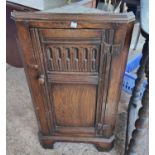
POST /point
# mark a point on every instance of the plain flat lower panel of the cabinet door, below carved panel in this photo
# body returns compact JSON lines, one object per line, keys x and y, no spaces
{"x":74,"y":105}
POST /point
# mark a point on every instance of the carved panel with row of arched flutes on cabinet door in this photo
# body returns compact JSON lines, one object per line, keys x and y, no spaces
{"x":73,"y":58}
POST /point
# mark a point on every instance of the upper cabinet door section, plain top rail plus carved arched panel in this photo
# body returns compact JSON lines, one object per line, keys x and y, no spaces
{"x":65,"y":53}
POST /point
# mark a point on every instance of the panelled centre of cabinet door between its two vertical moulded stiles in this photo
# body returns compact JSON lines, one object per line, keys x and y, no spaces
{"x":71,"y":61}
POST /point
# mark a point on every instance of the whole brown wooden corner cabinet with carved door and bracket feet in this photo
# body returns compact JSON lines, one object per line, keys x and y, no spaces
{"x":75,"y":75}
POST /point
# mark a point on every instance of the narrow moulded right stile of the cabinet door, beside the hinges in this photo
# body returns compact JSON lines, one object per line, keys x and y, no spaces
{"x":105,"y":61}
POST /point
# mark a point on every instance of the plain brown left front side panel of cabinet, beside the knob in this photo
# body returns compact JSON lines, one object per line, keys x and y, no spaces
{"x":32,"y":77}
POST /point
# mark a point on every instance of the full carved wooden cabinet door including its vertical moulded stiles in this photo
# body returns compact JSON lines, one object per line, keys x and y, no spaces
{"x":77,"y":69}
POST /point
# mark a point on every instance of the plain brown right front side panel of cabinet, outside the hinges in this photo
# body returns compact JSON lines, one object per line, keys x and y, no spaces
{"x":118,"y":64}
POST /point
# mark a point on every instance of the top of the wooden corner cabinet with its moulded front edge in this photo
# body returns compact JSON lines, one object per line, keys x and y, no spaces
{"x":93,"y":16}
